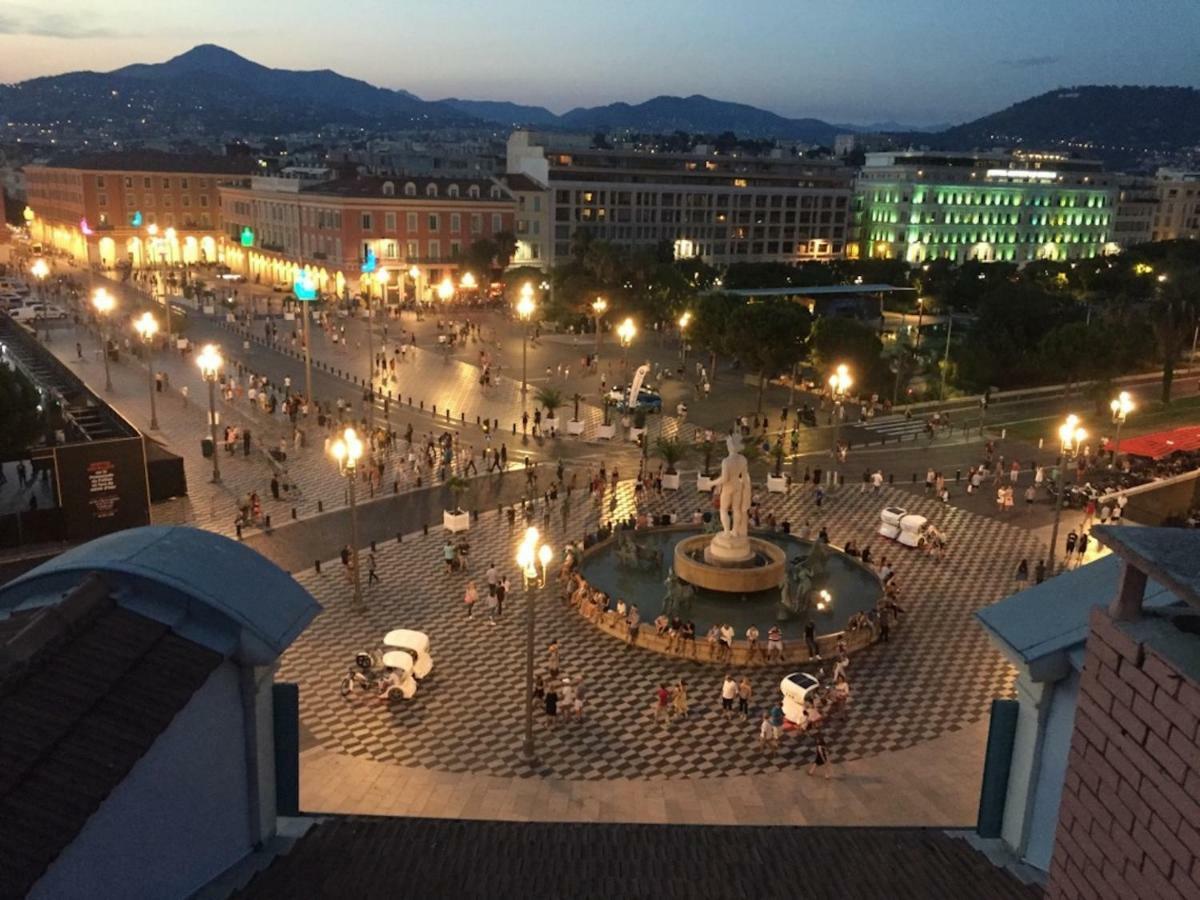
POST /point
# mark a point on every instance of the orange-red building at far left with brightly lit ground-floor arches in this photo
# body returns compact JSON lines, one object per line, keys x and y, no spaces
{"x":140,"y":208}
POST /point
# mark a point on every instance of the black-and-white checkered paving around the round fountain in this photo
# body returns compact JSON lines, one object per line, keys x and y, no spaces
{"x":938,"y":675}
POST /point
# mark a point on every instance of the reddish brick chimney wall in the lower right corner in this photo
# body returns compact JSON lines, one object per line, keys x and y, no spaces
{"x":1130,"y":821}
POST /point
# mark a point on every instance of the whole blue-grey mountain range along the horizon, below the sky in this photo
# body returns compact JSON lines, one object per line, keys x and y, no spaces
{"x":213,"y":91}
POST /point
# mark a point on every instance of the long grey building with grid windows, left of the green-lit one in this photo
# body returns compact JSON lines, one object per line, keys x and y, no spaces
{"x":721,"y":208}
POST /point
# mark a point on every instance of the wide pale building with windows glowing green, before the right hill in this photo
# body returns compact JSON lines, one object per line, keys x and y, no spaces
{"x":920,"y":206}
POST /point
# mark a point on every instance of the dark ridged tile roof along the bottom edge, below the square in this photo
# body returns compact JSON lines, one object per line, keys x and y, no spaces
{"x":362,"y":857}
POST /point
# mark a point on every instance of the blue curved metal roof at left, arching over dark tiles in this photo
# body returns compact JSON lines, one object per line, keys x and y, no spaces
{"x":208,"y":589}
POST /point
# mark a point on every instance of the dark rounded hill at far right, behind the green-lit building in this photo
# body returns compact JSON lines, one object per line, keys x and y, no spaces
{"x":1113,"y":123}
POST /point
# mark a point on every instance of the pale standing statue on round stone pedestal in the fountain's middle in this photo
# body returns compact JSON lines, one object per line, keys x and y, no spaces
{"x":731,"y":561}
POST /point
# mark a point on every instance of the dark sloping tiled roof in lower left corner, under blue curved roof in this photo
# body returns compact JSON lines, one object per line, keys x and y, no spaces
{"x":86,"y":689}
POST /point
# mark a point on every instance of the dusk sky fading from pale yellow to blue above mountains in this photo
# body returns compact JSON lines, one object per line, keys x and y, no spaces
{"x":844,"y":67}
